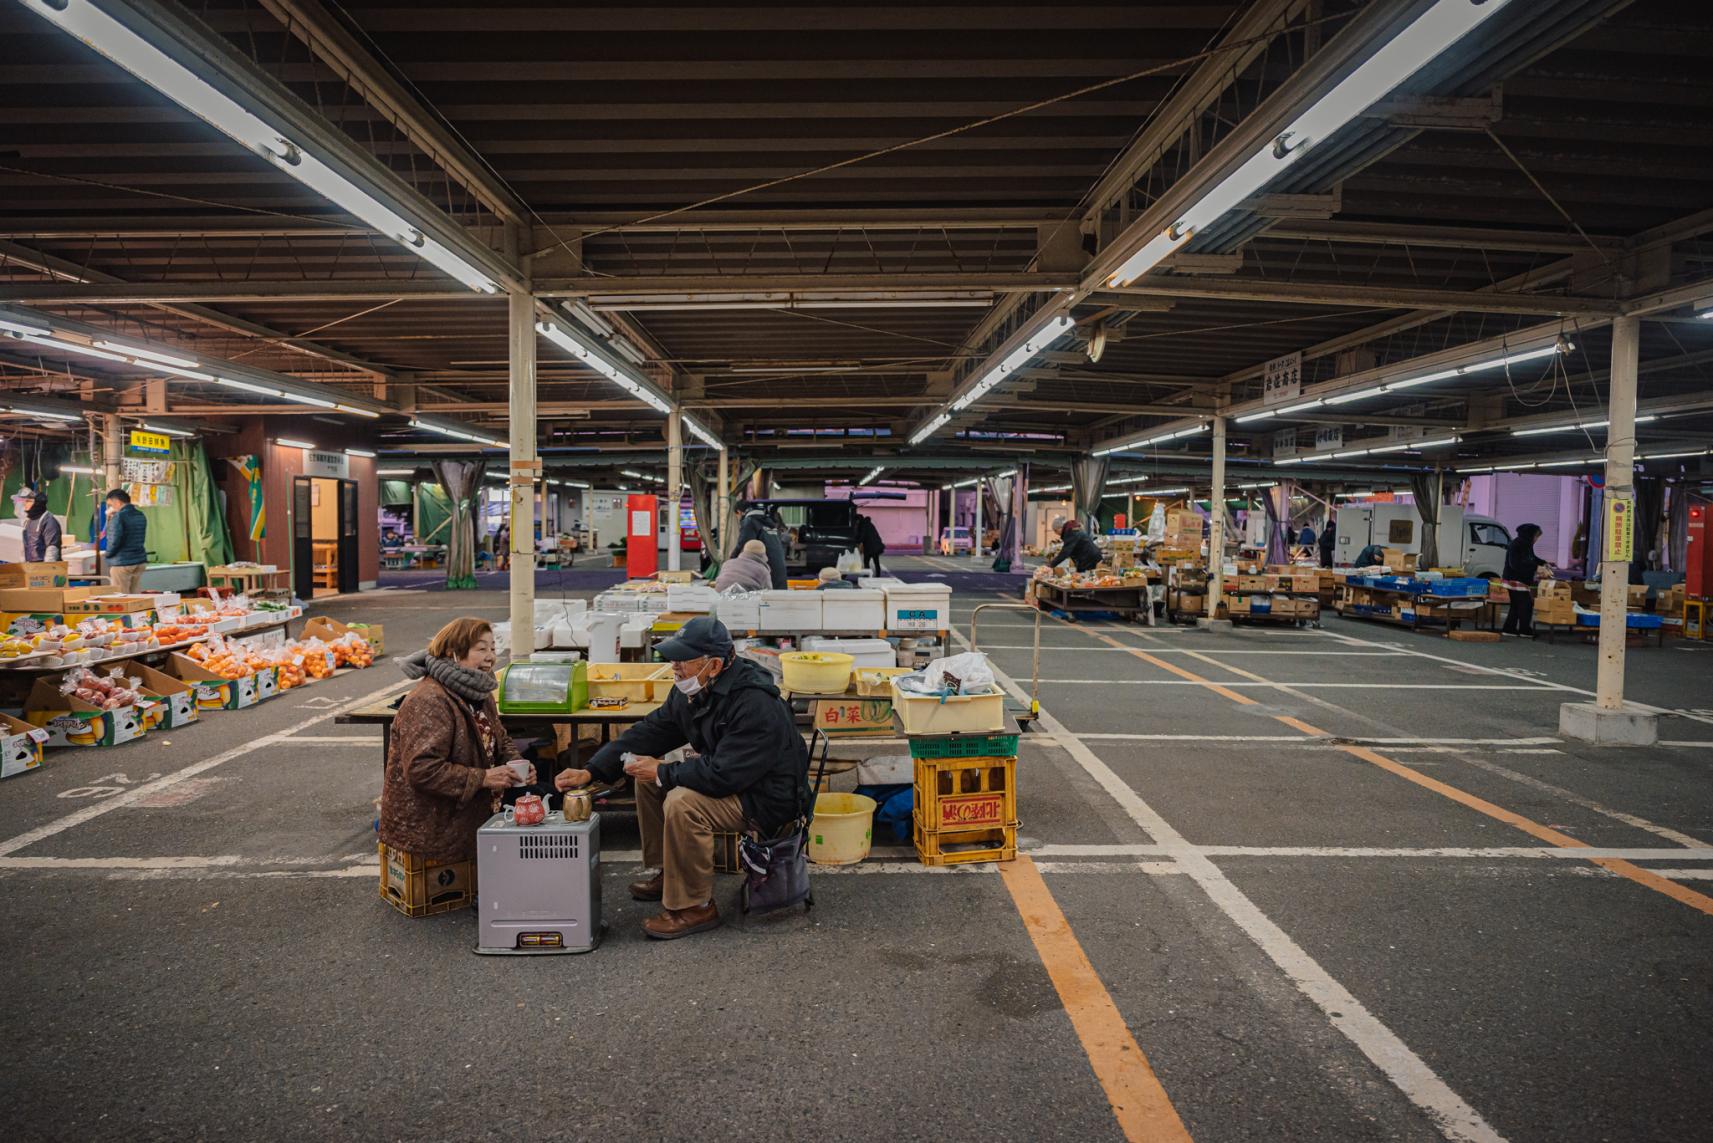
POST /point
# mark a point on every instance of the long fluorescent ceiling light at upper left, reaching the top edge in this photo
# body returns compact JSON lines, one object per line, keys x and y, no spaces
{"x":155,"y":68}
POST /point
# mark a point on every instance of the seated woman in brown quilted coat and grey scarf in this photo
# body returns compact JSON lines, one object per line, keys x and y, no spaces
{"x":450,"y":753}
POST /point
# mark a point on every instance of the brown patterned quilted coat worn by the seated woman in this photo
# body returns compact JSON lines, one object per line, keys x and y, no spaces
{"x":433,"y":799}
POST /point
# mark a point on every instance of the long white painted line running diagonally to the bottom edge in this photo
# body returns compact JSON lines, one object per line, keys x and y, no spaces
{"x":1383,"y":1048}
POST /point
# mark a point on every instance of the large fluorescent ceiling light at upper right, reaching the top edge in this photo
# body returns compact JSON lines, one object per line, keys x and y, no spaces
{"x":1397,"y":61}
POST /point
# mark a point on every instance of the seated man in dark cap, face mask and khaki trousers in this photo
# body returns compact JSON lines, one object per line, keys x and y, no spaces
{"x":749,"y":772}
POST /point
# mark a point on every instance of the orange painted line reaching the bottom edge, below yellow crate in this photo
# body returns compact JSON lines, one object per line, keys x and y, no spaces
{"x":1140,"y":1103}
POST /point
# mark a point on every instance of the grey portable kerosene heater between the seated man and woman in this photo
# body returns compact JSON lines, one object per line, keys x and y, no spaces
{"x":539,"y":889}
